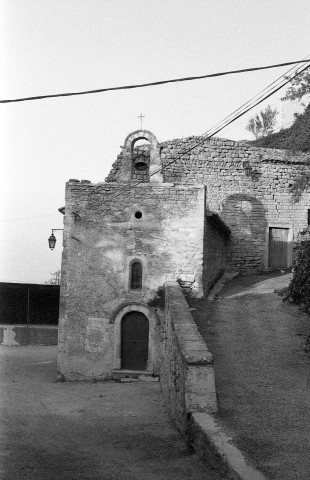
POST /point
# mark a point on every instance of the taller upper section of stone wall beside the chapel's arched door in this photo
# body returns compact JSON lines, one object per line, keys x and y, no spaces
{"x":186,"y":374}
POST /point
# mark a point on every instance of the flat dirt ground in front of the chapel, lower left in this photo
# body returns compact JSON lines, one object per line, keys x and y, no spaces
{"x":80,"y":431}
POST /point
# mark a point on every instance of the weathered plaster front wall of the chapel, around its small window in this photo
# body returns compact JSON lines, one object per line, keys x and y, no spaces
{"x":101,"y":237}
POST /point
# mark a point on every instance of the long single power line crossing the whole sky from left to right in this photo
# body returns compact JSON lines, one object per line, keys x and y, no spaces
{"x":150,"y":84}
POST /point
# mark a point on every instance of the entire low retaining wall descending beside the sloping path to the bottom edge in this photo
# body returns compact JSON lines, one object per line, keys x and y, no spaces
{"x":187,"y":382}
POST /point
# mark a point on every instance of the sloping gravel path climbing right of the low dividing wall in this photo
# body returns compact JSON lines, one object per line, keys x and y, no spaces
{"x":262,"y":373}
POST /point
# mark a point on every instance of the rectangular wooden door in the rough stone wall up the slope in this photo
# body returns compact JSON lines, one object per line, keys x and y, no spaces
{"x":278,"y":247}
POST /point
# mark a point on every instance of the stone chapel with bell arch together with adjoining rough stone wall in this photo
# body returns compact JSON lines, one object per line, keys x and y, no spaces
{"x":183,"y":210}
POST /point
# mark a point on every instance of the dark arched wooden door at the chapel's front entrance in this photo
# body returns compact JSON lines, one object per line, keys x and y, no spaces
{"x":134,"y":341}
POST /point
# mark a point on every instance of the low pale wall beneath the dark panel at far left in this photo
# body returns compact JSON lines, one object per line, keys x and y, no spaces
{"x":19,"y":335}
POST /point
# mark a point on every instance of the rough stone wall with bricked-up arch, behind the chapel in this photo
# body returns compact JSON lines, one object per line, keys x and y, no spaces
{"x":248,"y":187}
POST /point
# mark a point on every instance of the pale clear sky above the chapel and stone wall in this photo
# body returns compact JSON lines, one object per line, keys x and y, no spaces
{"x":57,"y":46}
